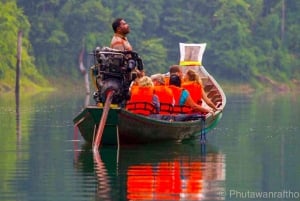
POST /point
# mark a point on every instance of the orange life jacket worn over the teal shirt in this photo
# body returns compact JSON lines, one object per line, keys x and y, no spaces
{"x":177,"y":108}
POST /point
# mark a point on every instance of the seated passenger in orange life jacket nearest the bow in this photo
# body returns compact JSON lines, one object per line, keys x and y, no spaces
{"x":192,"y":82}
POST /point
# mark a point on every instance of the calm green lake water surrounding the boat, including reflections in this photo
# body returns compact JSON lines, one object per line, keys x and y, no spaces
{"x":252,"y":154}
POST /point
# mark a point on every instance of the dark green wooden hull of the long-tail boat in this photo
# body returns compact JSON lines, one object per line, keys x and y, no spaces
{"x":124,"y":127}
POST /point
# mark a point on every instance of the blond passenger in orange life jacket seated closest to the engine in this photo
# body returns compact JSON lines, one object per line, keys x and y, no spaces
{"x":142,"y":99}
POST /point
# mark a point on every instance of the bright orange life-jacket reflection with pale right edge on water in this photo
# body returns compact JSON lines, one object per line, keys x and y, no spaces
{"x":177,"y":180}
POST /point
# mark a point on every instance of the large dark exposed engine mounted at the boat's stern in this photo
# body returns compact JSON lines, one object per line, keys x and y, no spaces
{"x":114,"y":70}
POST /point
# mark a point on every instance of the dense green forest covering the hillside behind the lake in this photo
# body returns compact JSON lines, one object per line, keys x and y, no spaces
{"x":248,"y":41}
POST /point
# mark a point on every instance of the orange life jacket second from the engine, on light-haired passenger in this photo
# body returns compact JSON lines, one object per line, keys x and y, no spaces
{"x":166,"y":99}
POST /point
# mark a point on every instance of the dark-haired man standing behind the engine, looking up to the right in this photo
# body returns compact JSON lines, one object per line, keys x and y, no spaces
{"x":119,"y":40}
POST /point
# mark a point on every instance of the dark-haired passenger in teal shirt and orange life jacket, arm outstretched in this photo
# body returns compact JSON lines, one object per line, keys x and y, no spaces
{"x":183,"y":101}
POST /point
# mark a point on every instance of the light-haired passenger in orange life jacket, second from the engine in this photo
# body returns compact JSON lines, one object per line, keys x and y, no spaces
{"x":164,"y":94}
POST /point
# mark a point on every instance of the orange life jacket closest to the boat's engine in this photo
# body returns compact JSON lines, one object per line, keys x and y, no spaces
{"x":141,"y":101}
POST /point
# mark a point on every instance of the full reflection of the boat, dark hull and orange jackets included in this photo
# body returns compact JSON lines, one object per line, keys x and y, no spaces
{"x":156,"y":172}
